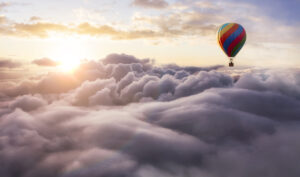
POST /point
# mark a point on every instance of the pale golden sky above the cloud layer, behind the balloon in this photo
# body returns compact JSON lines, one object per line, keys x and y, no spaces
{"x":173,"y":31}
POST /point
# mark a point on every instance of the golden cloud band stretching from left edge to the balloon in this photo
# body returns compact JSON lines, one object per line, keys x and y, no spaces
{"x":173,"y":24}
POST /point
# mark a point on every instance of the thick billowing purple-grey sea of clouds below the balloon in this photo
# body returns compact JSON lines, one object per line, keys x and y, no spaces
{"x":127,"y":117}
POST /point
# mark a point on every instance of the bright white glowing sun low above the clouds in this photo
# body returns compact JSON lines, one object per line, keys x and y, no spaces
{"x":68,"y":53}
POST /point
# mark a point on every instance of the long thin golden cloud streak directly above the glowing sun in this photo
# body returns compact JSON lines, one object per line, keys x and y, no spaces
{"x":44,"y":29}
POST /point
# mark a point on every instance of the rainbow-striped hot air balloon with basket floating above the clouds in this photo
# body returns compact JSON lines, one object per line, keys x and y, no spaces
{"x":231,"y":38}
